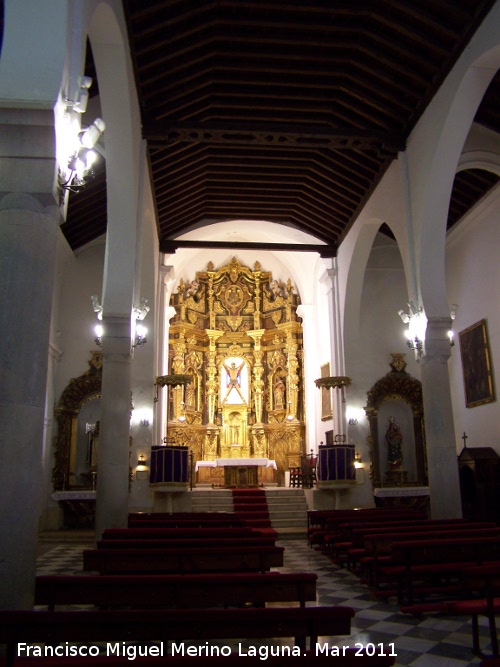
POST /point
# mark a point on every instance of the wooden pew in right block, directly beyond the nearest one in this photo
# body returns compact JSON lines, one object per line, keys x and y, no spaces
{"x":426,"y":561}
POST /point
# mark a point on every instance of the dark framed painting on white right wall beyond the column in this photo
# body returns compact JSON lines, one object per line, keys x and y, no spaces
{"x":476,"y":365}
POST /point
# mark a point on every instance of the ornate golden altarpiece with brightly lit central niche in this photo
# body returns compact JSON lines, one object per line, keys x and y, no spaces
{"x":237,"y":335}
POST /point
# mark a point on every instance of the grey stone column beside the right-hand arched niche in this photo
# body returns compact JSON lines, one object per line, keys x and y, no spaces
{"x":439,"y":428}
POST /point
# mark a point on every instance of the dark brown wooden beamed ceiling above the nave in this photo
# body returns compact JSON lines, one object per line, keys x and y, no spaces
{"x":287,"y":111}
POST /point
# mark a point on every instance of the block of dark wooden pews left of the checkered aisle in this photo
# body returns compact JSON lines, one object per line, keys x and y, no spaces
{"x":167,"y":581}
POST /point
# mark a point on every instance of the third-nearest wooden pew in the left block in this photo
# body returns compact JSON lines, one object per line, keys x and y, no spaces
{"x":182,"y":561}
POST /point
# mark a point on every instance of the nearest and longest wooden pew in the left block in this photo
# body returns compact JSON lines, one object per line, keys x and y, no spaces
{"x":304,"y":624}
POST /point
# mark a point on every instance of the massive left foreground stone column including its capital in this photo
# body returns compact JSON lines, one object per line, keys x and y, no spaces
{"x":29,"y":223}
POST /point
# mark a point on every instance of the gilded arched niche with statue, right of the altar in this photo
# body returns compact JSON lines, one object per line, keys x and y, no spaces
{"x":396,"y":416}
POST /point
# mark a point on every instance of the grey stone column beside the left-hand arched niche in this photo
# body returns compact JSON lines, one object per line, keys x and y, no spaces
{"x":114,"y":437}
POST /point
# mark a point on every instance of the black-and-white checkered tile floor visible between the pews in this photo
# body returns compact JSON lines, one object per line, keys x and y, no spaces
{"x":430,"y":641}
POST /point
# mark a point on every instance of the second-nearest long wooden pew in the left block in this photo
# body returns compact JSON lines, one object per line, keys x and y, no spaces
{"x":185,"y":590}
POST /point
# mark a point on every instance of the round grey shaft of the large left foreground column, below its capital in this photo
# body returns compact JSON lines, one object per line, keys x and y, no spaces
{"x":28,"y":234}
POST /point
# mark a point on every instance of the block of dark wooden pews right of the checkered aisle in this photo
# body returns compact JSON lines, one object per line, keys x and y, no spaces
{"x":430,"y":566}
